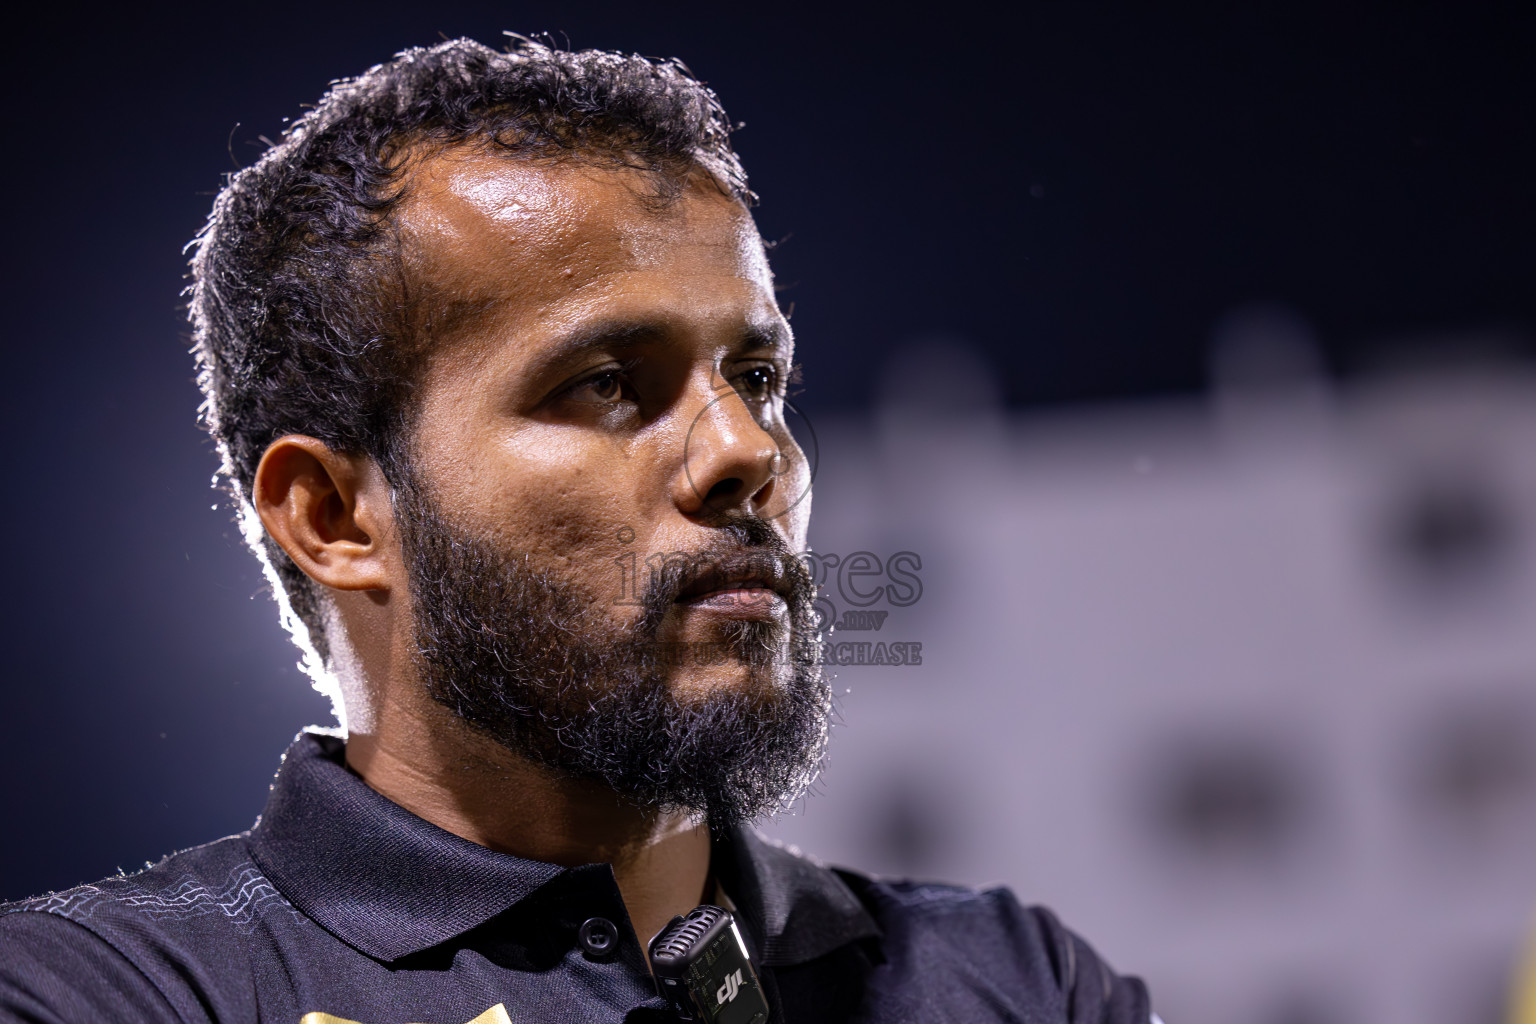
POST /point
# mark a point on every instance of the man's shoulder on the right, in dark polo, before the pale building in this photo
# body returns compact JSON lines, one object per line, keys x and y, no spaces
{"x":988,"y":945}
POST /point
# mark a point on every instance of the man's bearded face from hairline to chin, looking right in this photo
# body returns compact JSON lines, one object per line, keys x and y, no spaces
{"x":603,"y":481}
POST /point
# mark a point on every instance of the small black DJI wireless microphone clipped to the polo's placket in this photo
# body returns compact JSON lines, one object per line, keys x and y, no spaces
{"x":703,"y":968}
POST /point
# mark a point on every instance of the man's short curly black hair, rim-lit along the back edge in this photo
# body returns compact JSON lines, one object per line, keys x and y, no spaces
{"x":302,"y":317}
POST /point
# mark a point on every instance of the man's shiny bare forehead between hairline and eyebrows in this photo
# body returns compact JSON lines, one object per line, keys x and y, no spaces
{"x":489,"y":234}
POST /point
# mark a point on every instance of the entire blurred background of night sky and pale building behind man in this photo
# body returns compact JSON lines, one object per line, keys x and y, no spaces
{"x":1187,"y":357}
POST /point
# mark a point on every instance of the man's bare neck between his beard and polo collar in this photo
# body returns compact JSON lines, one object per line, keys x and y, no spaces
{"x":429,"y":762}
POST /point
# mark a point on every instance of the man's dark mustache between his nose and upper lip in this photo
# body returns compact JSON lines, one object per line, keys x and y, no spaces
{"x":746,"y":549}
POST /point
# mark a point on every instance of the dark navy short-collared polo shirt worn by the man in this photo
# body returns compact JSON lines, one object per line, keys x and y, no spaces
{"x":343,"y":907}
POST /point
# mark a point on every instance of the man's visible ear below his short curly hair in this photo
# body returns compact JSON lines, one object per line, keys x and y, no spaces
{"x":329,"y":512}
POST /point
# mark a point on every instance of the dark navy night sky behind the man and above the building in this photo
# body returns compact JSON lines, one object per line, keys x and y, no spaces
{"x":1079,"y":190}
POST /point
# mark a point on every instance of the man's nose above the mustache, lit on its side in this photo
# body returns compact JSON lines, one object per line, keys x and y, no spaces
{"x":730,"y":460}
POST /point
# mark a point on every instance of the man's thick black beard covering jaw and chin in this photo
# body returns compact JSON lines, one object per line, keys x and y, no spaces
{"x":532,"y":661}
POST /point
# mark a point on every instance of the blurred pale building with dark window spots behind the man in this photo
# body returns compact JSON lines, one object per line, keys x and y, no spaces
{"x":1245,"y":690}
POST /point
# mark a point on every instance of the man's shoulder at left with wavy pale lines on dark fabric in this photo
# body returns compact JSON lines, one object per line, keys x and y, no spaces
{"x":164,"y":936}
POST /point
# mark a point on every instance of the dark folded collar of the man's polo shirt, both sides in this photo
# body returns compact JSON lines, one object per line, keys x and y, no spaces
{"x":389,"y":884}
